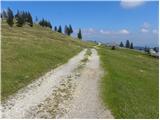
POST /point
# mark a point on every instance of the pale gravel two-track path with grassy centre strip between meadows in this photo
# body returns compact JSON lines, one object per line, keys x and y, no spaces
{"x":69,"y":91}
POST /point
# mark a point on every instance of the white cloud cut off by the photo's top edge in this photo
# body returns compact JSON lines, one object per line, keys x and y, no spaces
{"x":131,"y":3}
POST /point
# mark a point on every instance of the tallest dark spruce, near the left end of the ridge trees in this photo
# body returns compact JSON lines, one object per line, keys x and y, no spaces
{"x":10,"y":17}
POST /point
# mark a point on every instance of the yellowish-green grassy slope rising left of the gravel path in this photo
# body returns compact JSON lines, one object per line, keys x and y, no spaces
{"x":28,"y":53}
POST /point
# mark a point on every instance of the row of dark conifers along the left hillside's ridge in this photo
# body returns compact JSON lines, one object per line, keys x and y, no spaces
{"x":22,"y":18}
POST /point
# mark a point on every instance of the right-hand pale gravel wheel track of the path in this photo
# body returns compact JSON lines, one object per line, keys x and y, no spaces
{"x":86,"y":101}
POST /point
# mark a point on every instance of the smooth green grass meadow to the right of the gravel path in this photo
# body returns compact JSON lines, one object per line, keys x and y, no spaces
{"x":130,"y":84}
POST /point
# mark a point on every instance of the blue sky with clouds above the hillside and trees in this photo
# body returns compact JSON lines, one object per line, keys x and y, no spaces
{"x":107,"y":21}
